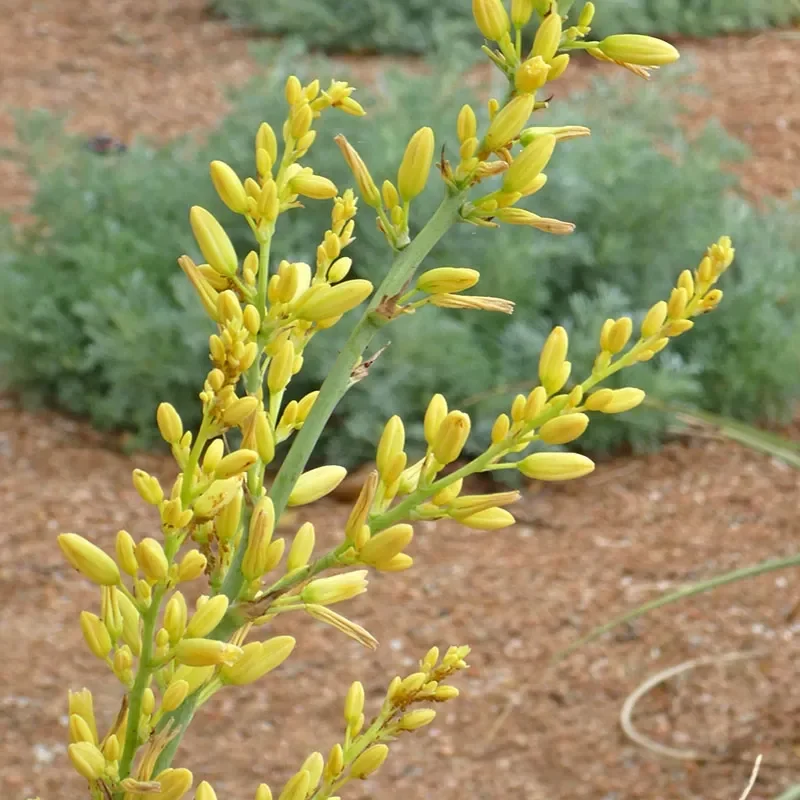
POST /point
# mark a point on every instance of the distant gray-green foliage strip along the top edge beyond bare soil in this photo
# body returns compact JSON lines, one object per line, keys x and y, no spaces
{"x":416,"y":26}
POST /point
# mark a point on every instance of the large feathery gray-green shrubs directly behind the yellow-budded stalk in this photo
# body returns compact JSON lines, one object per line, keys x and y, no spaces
{"x":96,"y":317}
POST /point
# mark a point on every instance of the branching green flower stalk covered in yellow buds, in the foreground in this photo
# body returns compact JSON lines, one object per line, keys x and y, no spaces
{"x":217,"y":521}
